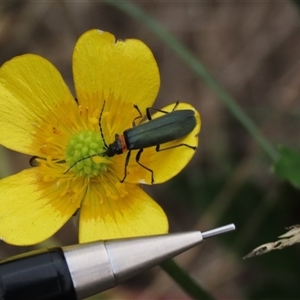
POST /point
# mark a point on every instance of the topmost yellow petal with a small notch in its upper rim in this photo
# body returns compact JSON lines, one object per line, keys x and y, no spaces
{"x":123,"y":70}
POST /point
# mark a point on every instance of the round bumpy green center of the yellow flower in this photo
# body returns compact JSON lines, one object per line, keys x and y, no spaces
{"x":81,"y":152}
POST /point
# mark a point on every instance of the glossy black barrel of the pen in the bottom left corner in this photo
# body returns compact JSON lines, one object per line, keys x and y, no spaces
{"x":42,"y":276}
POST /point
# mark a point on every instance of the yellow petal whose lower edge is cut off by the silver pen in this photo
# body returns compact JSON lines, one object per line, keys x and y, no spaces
{"x":133,"y":215}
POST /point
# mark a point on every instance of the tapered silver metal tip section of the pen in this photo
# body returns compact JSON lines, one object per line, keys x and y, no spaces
{"x":98,"y":266}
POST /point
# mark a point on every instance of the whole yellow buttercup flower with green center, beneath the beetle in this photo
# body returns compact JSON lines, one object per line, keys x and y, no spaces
{"x":39,"y":117}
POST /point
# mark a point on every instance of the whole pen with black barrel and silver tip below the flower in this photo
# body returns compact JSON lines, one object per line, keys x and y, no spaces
{"x":79,"y":271}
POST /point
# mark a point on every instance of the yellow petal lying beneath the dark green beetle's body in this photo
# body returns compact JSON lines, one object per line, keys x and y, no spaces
{"x":164,"y":164}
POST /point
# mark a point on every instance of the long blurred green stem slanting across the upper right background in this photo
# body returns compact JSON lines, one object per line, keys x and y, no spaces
{"x":195,"y":65}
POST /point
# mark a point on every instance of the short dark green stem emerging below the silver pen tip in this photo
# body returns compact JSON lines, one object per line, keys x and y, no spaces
{"x":184,"y":280}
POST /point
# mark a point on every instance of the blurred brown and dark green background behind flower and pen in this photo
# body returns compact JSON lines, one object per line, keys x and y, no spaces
{"x":253,"y":50}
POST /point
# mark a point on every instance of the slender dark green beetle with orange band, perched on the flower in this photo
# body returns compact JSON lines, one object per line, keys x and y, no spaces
{"x":155,"y":132}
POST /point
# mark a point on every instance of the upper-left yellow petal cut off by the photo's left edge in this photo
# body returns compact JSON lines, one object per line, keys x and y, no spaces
{"x":31,"y":89}
